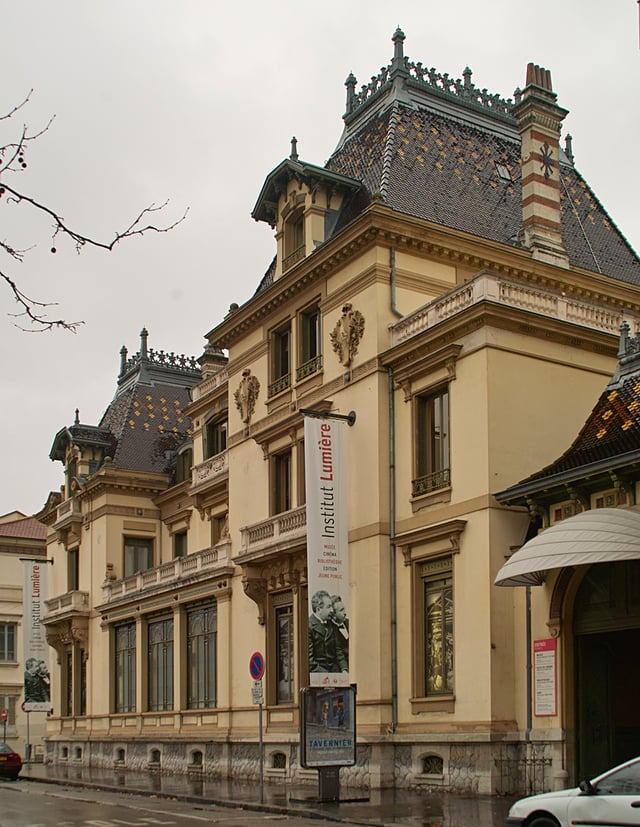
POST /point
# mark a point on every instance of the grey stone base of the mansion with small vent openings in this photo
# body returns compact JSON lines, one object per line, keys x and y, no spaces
{"x":481,"y":768}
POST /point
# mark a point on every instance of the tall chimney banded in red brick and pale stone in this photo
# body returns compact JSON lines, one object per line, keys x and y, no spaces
{"x":539,"y":120}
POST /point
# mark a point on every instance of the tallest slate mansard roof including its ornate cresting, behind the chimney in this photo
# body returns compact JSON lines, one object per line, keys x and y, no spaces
{"x":448,"y":152}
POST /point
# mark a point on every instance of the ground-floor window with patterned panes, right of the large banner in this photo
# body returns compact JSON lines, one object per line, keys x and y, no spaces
{"x":438,"y":632}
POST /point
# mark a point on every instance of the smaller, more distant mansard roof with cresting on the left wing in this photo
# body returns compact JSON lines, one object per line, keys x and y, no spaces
{"x":145,"y":423}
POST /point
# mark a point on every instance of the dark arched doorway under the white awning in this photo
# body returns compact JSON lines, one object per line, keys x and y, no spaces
{"x":606,"y":625}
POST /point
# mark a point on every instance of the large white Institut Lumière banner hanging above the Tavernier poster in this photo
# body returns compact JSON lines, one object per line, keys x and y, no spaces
{"x":327,"y":552}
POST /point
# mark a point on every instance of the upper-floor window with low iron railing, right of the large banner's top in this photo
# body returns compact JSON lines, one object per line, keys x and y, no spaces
{"x":431,"y":443}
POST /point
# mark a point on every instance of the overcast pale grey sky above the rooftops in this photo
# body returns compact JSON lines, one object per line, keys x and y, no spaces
{"x":196,"y":101}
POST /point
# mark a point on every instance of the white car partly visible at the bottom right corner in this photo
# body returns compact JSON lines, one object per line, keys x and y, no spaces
{"x":612,"y":798}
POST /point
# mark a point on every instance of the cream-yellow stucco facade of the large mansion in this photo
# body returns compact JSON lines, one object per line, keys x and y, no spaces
{"x":469,"y":364}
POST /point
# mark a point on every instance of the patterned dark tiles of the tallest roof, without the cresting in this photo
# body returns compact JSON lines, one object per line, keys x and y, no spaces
{"x":449,"y":172}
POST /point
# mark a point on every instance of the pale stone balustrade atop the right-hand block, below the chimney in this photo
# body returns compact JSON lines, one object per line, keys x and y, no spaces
{"x":492,"y":287}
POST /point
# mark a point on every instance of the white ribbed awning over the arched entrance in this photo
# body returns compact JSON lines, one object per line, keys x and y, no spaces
{"x":597,"y":536}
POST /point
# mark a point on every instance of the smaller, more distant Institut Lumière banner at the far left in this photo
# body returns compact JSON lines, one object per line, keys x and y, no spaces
{"x":37,"y":681}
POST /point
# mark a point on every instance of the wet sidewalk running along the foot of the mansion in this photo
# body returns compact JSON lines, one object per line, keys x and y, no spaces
{"x":378,"y":808}
